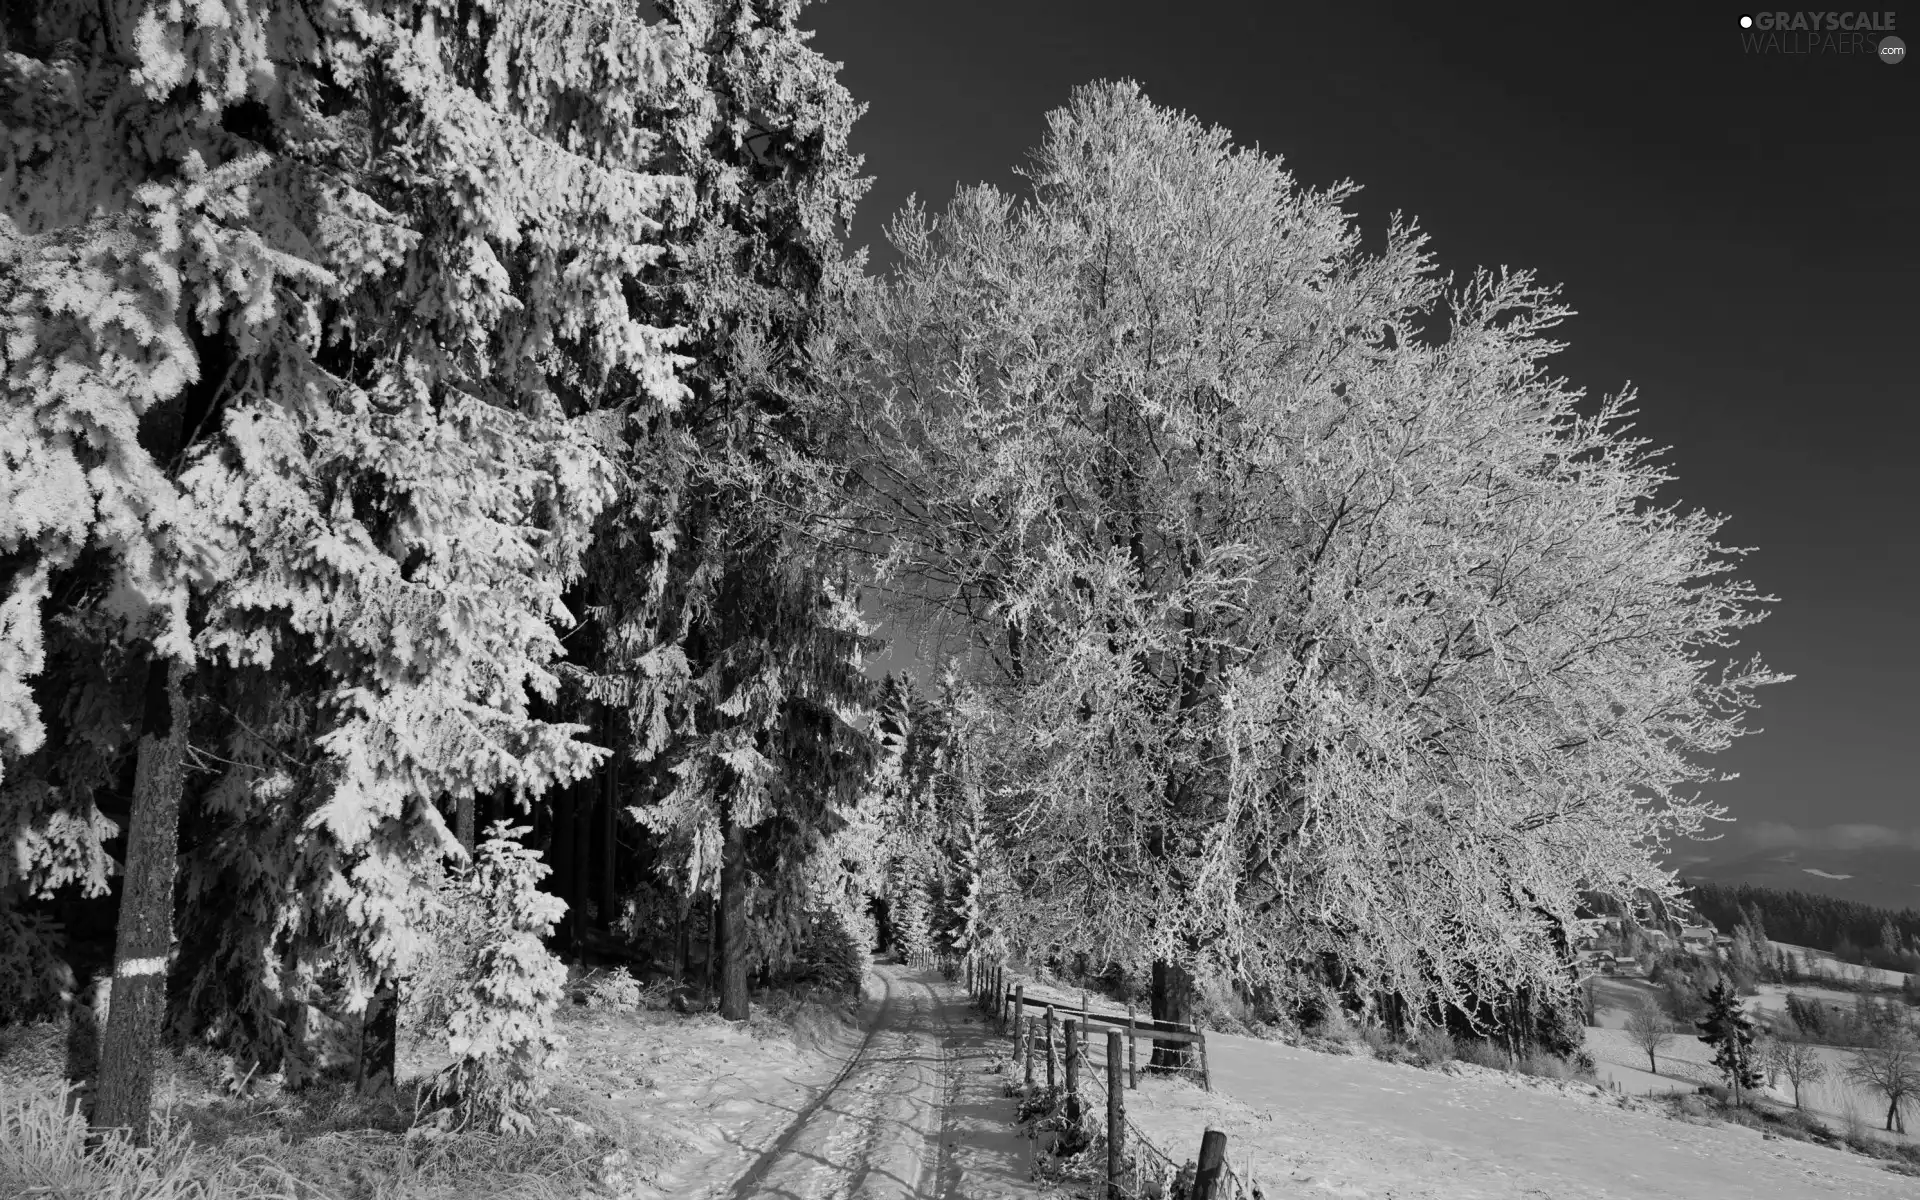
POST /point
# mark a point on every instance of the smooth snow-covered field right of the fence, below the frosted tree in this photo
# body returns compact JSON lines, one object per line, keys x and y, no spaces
{"x":1308,"y":1124}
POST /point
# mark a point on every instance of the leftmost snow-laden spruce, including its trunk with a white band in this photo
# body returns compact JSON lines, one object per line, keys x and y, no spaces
{"x":133,"y":228}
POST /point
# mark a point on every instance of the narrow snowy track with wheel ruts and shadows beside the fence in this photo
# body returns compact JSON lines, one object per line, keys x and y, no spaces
{"x":917,"y":1113}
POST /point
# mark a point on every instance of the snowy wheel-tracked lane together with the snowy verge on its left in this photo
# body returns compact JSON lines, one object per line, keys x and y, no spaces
{"x":905,"y":1103}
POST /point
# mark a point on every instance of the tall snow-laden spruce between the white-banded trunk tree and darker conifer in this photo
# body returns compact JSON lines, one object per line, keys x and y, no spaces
{"x":498,"y":368}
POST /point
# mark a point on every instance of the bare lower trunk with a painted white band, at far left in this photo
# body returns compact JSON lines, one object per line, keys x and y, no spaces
{"x":145,"y":934}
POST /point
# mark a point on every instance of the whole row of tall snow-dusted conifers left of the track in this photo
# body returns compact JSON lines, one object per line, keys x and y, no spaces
{"x":410,"y":420}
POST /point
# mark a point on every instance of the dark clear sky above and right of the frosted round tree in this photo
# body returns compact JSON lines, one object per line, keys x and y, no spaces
{"x":1737,"y":233}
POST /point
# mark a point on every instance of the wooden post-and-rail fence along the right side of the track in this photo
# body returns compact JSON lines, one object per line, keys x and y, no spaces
{"x":1134,"y":1166}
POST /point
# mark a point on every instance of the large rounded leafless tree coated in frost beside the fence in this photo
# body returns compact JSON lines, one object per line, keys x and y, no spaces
{"x":1305,"y":642}
